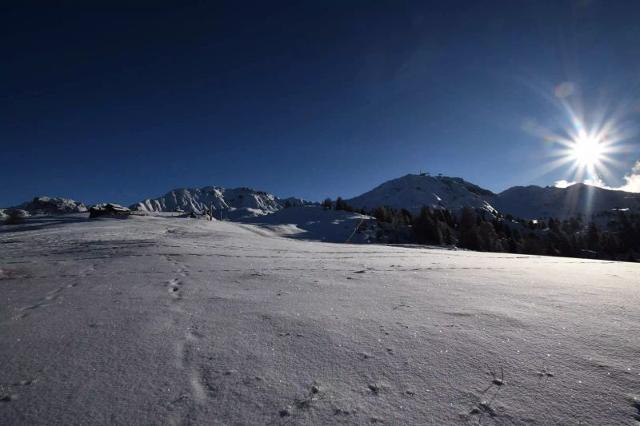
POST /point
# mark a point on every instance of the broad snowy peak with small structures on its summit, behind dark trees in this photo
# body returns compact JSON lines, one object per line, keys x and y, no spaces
{"x":412,"y":192}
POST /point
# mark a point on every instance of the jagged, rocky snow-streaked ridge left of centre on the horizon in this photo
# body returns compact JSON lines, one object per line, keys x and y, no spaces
{"x":227,"y":203}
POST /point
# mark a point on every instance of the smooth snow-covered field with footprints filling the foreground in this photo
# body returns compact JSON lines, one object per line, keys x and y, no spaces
{"x":159,"y":320}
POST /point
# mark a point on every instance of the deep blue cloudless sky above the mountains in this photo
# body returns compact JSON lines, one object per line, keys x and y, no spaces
{"x":103,"y":101}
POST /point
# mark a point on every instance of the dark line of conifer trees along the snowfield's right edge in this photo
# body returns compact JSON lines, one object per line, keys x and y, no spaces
{"x":617,"y":239}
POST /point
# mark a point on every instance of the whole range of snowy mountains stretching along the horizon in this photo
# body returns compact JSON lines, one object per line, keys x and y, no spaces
{"x":410,"y":192}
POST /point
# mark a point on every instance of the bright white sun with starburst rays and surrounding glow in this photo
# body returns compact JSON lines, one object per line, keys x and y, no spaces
{"x":588,"y":139}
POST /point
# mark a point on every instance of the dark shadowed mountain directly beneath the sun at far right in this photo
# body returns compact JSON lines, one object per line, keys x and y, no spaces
{"x":535,"y":202}
